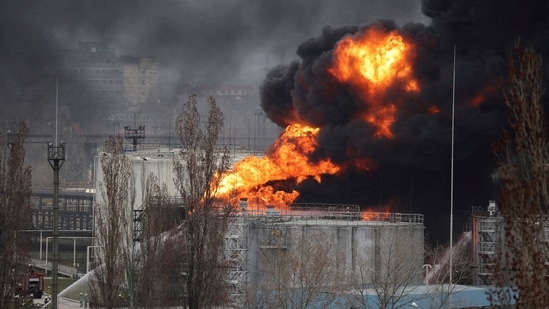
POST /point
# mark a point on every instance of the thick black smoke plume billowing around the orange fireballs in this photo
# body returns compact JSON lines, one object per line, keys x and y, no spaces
{"x":414,"y":167}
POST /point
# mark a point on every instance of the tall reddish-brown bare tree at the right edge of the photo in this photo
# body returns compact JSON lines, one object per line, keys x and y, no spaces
{"x":520,"y":272}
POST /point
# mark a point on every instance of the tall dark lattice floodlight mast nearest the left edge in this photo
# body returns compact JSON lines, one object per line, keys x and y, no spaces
{"x":56,"y":158}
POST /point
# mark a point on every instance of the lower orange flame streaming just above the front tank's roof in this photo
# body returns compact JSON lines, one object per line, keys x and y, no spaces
{"x":287,"y":160}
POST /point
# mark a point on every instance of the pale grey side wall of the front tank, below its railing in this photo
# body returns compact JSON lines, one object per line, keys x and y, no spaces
{"x":365,"y":248}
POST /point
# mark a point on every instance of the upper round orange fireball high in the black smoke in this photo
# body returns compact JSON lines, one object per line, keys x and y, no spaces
{"x":374,"y":61}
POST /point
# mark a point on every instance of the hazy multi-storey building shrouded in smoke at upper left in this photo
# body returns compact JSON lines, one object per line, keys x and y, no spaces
{"x":105,"y":78}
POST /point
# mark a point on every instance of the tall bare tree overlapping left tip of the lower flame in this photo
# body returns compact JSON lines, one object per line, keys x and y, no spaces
{"x":196,"y":170}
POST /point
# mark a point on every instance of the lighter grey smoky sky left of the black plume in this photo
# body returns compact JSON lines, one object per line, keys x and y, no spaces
{"x":197,"y":42}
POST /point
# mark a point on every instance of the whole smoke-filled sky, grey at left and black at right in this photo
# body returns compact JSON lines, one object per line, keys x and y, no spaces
{"x":270,"y":43}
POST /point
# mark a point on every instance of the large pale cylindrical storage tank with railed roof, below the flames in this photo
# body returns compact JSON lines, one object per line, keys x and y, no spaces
{"x":385,"y":246}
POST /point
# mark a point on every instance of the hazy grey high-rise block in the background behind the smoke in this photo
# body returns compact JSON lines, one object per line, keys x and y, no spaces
{"x":96,"y":83}
